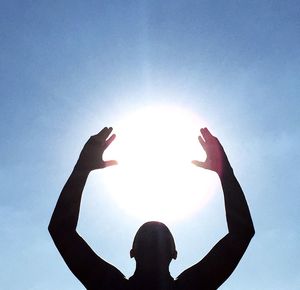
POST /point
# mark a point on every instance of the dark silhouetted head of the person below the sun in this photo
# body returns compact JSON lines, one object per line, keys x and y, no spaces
{"x":153,"y":245}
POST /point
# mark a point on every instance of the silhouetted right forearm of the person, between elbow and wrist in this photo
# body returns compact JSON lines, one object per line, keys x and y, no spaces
{"x":237,"y":212}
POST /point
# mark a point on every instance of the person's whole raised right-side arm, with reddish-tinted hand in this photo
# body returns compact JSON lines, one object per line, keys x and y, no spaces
{"x":220,"y":262}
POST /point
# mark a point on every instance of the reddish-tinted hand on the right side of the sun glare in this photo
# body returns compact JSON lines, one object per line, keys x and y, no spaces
{"x":216,"y":159}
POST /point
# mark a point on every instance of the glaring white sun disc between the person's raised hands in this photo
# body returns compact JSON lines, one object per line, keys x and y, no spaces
{"x":155,"y":179}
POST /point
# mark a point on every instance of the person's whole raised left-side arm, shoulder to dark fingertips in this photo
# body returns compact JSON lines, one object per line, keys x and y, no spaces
{"x":90,"y":269}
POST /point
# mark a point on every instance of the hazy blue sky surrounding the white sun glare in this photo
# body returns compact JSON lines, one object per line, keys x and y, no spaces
{"x":69,"y":68}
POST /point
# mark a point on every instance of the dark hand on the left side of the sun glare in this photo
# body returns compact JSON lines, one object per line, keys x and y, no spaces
{"x":91,"y":155}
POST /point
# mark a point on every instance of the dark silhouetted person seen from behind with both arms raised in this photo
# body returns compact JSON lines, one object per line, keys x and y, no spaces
{"x":153,"y":247}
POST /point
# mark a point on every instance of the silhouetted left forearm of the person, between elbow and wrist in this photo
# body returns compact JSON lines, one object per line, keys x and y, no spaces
{"x":66,"y":212}
